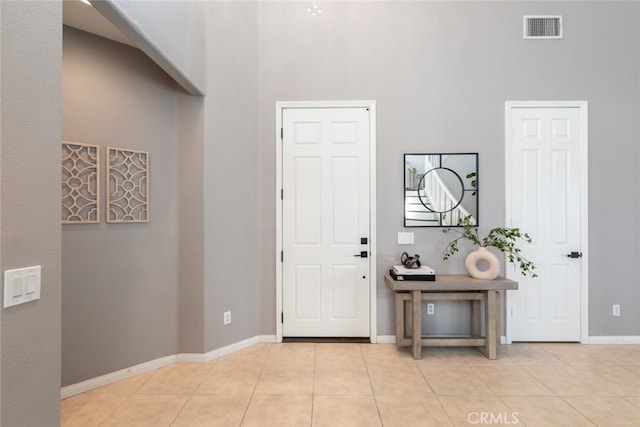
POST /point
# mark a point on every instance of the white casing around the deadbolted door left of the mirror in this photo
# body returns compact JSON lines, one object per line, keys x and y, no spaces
{"x":371,"y":106}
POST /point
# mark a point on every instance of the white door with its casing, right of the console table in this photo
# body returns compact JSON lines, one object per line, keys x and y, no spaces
{"x":546,"y":175}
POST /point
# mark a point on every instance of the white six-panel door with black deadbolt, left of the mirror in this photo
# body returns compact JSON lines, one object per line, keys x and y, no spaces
{"x":325,"y":270}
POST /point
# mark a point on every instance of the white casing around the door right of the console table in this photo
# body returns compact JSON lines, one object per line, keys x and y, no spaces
{"x":584,"y":197}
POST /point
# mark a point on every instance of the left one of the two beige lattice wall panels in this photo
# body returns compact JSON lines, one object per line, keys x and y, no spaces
{"x":80,"y":183}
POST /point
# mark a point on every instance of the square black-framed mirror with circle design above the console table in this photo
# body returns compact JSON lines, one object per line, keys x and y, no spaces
{"x":440,"y":189}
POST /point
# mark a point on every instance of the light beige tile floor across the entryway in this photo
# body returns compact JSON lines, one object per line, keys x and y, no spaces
{"x":306,"y":384}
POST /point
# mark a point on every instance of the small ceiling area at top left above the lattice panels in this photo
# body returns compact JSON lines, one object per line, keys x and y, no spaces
{"x":82,"y":16}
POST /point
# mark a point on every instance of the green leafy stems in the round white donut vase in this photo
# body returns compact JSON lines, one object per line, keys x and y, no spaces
{"x":504,"y":239}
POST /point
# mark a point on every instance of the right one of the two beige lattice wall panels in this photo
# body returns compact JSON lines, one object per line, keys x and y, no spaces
{"x":127,"y":185}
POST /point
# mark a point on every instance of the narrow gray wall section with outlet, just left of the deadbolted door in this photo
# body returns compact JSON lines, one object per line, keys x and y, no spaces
{"x":233,"y":224}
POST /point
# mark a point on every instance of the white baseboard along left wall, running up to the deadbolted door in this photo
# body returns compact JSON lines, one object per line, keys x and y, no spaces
{"x":122,"y":374}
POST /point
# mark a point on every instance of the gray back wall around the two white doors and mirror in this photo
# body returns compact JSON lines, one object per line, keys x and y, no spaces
{"x":440,"y":73}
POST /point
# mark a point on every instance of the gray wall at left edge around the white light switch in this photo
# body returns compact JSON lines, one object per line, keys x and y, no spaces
{"x":30,"y":42}
